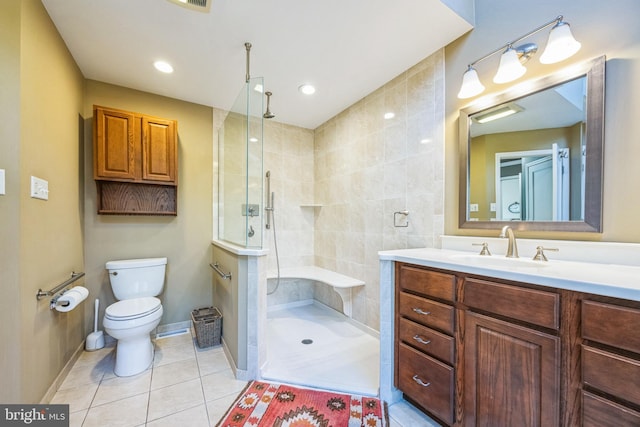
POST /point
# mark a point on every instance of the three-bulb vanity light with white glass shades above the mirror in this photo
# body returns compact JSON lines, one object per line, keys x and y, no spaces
{"x":560,"y":46}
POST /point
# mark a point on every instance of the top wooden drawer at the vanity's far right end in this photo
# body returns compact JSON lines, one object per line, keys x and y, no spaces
{"x":599,"y":319}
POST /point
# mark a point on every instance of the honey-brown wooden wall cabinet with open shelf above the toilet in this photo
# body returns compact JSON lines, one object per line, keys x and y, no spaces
{"x":135,"y":163}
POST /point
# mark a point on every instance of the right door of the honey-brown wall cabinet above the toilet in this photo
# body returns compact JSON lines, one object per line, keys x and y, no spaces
{"x":159,"y":150}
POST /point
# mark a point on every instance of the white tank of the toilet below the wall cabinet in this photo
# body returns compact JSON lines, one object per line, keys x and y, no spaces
{"x":136,"y":278}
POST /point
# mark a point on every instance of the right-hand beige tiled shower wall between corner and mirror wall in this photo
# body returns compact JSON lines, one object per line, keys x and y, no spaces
{"x":367,"y":167}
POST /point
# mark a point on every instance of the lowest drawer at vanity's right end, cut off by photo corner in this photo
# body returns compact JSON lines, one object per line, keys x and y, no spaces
{"x":599,"y":412}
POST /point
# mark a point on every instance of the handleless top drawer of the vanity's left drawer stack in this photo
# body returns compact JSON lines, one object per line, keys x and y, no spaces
{"x":426,"y":282}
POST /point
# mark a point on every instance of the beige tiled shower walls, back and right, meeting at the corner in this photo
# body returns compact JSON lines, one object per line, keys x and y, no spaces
{"x":360,"y":168}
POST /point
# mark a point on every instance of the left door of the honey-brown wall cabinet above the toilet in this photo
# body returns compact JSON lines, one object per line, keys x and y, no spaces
{"x":114,"y":145}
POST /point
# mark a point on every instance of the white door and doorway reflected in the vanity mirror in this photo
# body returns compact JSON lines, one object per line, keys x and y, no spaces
{"x":533,"y":185}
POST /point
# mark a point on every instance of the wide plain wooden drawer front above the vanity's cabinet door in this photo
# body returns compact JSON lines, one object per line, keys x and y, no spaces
{"x":529,"y":305}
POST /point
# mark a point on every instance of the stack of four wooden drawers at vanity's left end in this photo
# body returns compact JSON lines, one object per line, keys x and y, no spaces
{"x":424,"y":344}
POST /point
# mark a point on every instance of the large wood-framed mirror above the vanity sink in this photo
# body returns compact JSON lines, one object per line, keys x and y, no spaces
{"x":533,"y":158}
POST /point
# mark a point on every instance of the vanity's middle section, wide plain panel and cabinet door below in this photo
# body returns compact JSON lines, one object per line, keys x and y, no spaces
{"x":512,"y":370}
